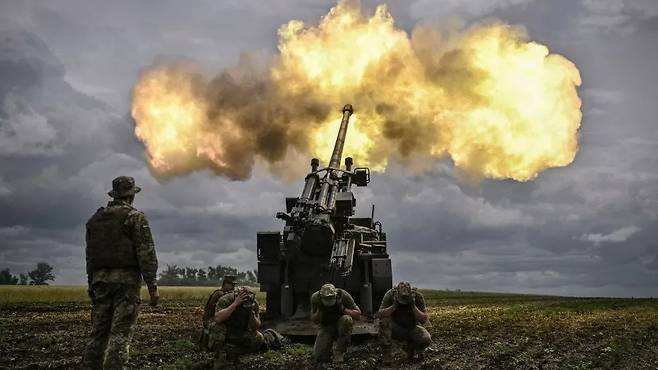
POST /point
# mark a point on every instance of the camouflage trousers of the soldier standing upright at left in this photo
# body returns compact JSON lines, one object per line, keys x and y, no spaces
{"x":113,"y":317}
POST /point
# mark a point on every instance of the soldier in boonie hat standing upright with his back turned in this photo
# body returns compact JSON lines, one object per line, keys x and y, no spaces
{"x":119,"y":253}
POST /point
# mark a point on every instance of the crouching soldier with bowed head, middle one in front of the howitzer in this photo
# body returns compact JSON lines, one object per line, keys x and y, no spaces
{"x":334,"y":309}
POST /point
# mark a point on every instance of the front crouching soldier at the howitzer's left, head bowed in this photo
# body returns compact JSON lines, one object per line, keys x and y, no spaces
{"x":234,"y":329}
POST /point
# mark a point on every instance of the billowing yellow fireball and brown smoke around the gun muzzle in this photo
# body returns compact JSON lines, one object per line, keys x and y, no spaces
{"x":500,"y":106}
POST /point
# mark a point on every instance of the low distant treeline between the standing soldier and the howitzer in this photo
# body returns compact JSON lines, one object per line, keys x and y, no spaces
{"x":212,"y":276}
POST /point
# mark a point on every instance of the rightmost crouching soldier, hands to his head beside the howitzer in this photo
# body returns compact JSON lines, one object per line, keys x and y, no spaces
{"x":401,"y":312}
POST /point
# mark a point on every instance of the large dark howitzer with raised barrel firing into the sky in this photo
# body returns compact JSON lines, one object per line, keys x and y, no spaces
{"x":321,"y":242}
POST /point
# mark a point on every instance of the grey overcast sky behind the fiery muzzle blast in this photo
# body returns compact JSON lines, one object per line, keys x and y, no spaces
{"x":67,"y":68}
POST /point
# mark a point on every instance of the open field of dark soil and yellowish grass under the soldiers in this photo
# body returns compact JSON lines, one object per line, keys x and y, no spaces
{"x":46,"y":327}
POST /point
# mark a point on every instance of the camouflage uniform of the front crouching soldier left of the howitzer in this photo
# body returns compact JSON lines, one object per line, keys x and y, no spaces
{"x":235,"y":336}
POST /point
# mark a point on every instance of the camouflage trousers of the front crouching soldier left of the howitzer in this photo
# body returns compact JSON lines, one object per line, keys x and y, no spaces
{"x":226,"y":344}
